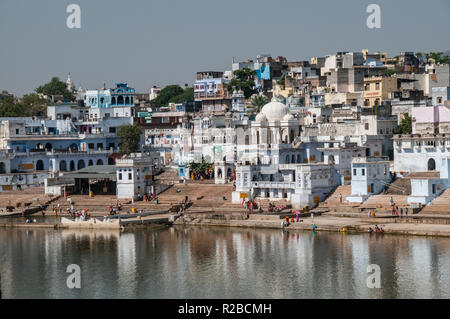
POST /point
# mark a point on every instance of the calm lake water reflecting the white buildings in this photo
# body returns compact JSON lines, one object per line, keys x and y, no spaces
{"x":197,"y":262}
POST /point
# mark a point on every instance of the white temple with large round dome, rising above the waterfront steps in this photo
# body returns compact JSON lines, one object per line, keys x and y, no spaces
{"x":271,"y":162}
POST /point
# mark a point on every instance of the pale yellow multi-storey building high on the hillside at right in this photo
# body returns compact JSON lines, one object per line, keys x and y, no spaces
{"x":377,"y":88}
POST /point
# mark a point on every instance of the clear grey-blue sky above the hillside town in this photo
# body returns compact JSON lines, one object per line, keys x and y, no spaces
{"x":161,"y":42}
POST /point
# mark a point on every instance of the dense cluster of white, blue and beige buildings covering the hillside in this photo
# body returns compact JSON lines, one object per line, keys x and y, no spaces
{"x":326,"y":122}
